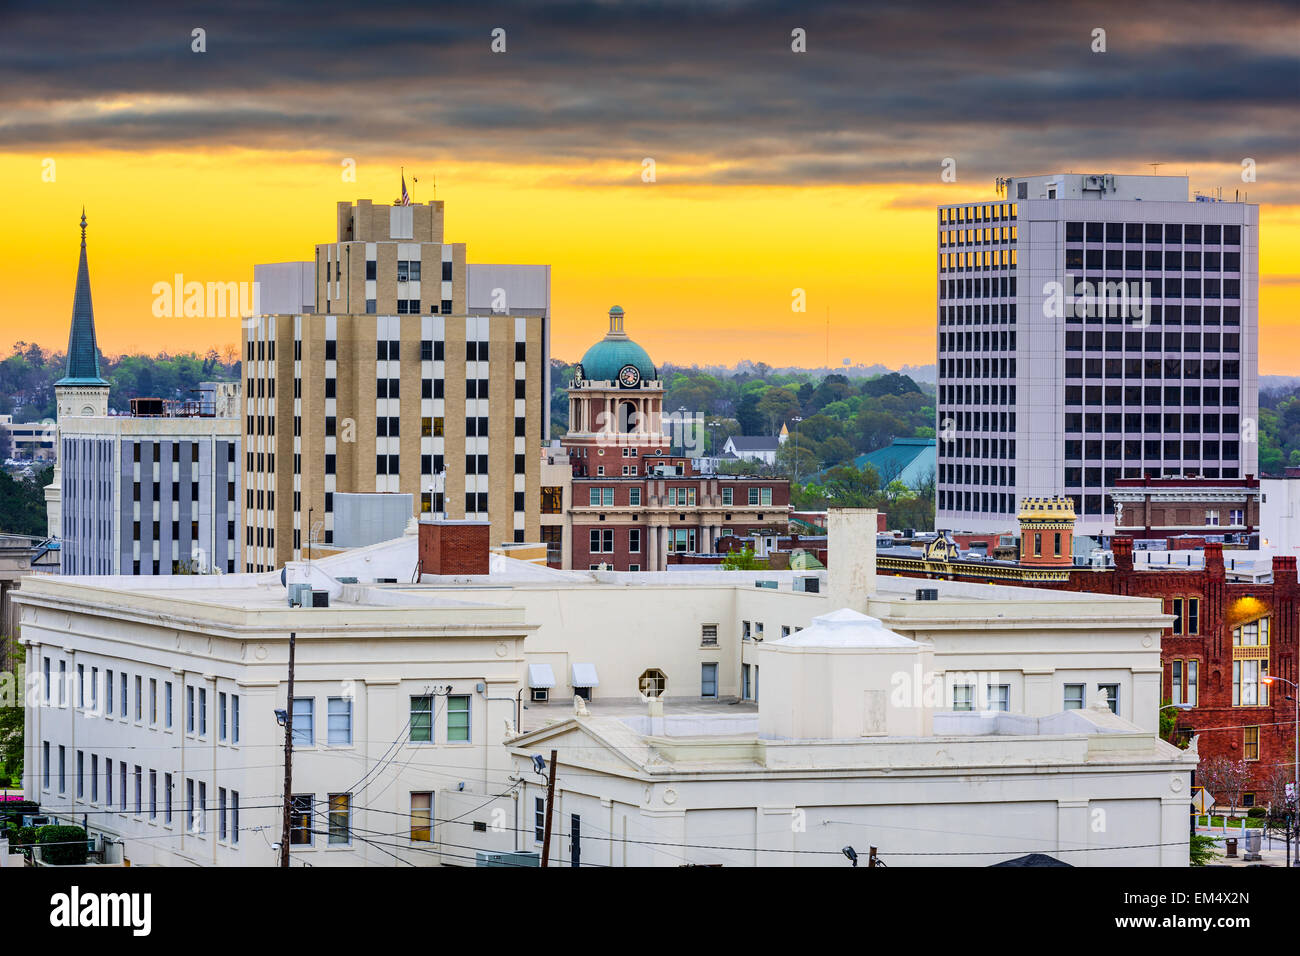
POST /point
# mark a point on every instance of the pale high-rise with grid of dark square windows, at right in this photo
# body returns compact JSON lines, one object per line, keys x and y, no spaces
{"x":1093,"y":328}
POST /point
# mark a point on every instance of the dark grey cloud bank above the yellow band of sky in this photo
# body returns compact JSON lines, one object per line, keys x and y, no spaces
{"x":885,"y":93}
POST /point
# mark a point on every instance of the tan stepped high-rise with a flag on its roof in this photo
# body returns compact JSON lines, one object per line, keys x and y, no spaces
{"x":413,"y":377}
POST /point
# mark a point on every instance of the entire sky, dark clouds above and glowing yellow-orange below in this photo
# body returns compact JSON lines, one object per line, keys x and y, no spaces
{"x":773,"y":170}
